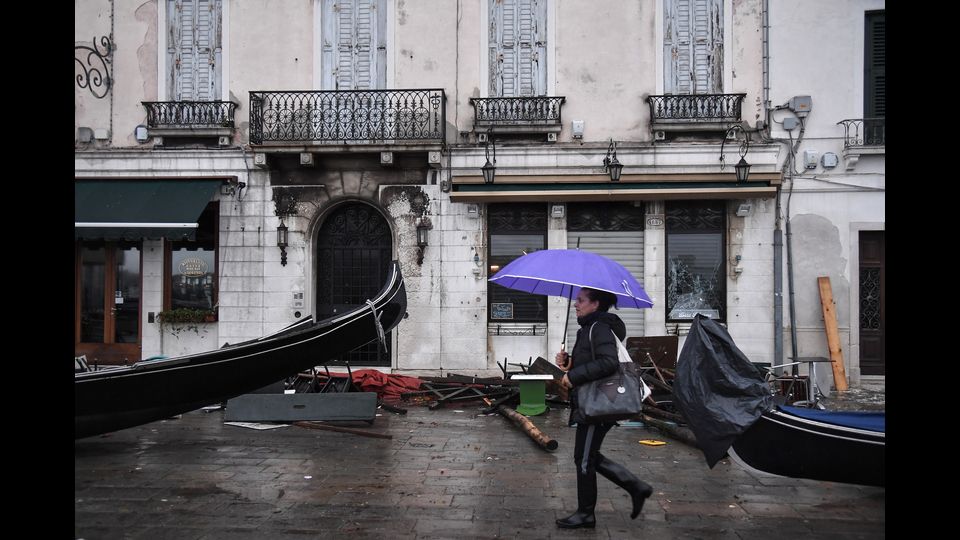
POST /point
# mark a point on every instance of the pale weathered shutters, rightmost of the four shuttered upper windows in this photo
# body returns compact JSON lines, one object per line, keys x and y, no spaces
{"x":693,"y":46}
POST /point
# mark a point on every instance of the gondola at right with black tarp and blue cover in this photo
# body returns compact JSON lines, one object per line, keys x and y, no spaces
{"x":732,"y":411}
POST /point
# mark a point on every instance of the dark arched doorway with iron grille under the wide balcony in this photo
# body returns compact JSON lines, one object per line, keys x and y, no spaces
{"x":354,"y":249}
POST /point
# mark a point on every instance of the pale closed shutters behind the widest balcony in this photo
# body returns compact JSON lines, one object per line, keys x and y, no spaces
{"x":353,"y":44}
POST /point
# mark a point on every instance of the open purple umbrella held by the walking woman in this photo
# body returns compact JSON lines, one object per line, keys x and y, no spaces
{"x":563,"y":272}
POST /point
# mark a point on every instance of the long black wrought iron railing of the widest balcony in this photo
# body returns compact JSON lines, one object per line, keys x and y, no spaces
{"x":348,"y":115}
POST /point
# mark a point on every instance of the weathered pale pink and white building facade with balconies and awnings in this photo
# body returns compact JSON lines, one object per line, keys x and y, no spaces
{"x":311,"y":142}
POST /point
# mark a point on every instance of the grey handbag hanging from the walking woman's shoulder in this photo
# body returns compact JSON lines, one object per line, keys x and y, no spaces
{"x":617,"y":397}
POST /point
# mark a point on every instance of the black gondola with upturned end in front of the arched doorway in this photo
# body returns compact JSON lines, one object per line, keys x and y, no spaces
{"x":118,"y":398}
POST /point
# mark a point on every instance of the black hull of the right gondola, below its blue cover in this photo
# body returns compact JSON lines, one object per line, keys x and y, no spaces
{"x":787,"y":445}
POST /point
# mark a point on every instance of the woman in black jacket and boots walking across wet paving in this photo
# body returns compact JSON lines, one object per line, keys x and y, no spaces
{"x":591,"y":361}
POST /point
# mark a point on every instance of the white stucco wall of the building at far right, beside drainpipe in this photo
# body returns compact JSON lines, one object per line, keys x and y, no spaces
{"x":818,"y":47}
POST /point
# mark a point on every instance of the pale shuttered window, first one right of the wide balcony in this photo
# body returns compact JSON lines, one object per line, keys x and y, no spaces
{"x":517,"y":48}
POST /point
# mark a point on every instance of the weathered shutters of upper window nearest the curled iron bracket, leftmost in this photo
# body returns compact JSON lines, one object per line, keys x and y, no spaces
{"x":194,"y":49}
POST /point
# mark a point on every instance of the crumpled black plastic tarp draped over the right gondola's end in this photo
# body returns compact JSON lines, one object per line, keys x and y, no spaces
{"x":717,"y":389}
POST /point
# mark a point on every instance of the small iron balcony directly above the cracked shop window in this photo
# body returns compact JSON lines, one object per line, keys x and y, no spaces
{"x":694,"y":112}
